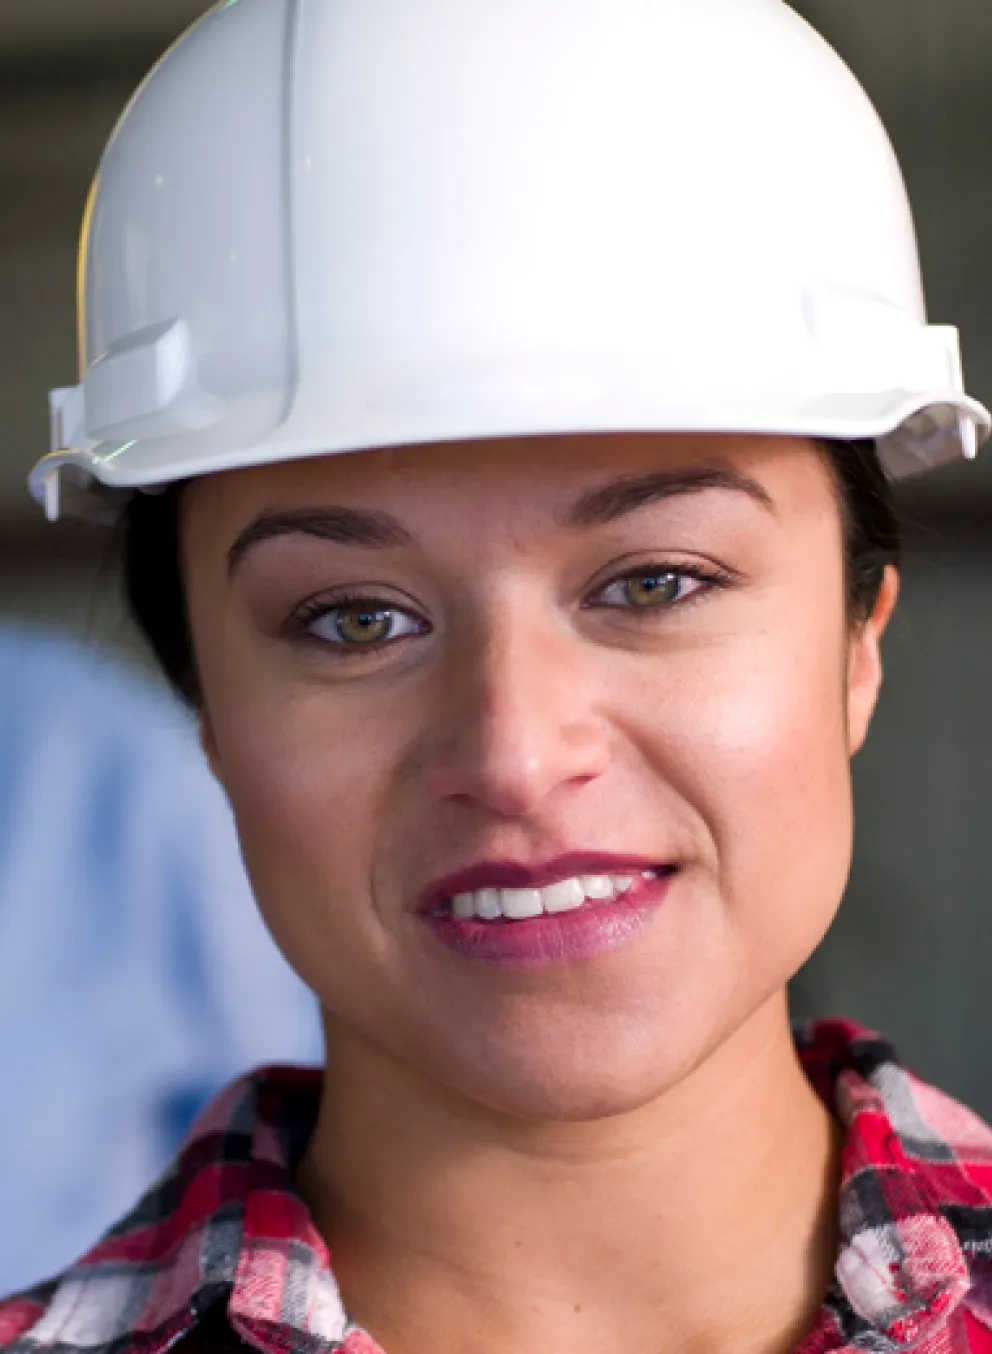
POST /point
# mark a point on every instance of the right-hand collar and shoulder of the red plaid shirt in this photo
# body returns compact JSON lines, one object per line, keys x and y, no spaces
{"x":916,"y":1198}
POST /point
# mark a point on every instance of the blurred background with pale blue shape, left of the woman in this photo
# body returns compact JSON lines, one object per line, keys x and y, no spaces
{"x":136,"y":977}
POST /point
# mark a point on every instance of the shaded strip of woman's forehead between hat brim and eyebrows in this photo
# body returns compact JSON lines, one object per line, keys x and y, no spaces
{"x":508,"y":477}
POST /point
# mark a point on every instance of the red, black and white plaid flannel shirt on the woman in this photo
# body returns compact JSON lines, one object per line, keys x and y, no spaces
{"x":223,"y":1252}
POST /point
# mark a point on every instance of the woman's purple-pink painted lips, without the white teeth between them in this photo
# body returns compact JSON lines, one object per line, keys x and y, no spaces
{"x":591,"y":931}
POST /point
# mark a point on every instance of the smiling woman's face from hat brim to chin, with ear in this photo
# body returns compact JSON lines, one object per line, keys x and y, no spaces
{"x":466,"y":670}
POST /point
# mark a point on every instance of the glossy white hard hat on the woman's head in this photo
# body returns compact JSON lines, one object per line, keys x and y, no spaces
{"x":332,"y":225}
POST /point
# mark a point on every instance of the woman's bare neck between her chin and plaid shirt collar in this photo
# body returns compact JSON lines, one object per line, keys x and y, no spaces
{"x":703,"y":1221}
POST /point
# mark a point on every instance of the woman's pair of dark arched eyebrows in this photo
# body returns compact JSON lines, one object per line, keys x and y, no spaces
{"x":371,"y":530}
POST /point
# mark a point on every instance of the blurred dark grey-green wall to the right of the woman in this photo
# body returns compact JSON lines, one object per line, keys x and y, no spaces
{"x":914,"y":939}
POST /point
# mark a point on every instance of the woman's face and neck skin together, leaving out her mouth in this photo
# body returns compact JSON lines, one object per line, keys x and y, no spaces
{"x":630,"y":645}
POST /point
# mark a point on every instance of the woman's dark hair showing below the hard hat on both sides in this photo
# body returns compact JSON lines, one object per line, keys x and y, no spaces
{"x":156,"y":595}
